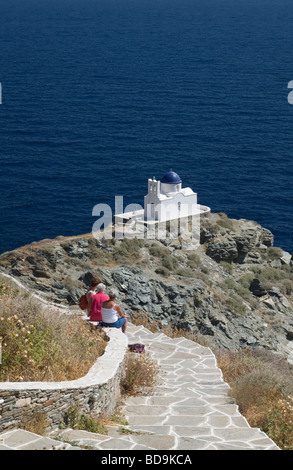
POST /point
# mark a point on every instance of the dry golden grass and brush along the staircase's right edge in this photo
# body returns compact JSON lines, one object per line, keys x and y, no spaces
{"x":262,"y":385}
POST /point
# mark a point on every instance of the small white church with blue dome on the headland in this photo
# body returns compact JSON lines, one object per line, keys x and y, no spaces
{"x":166,"y":200}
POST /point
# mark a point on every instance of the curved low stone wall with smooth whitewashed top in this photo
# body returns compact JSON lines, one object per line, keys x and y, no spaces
{"x":97,"y":392}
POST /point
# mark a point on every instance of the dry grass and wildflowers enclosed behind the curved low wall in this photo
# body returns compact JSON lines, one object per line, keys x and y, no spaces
{"x":42,"y":346}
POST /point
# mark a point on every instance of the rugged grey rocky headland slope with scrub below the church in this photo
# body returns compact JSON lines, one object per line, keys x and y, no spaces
{"x":235,"y":290}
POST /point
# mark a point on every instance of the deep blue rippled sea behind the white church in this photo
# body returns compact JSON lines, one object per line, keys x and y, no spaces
{"x":100,"y":95}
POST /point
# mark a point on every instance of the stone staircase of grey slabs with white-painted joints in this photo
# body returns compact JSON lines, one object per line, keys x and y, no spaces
{"x":189,"y":408}
